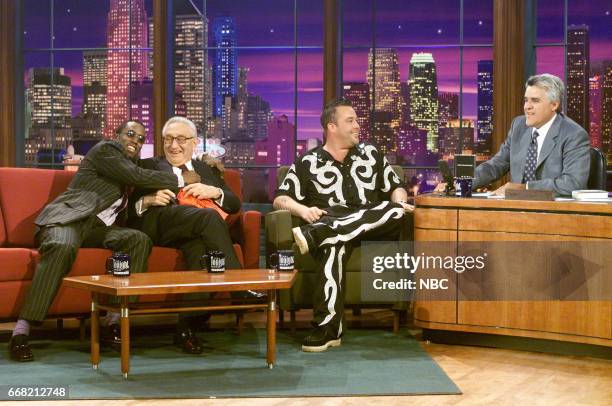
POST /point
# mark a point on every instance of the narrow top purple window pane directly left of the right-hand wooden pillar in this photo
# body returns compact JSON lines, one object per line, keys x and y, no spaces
{"x":478,"y":21}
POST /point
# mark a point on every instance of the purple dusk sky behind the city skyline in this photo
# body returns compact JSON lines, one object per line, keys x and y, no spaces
{"x":431,"y":26}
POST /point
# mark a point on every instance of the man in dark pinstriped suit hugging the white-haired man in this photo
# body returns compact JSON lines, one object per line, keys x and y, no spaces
{"x":84,"y":216}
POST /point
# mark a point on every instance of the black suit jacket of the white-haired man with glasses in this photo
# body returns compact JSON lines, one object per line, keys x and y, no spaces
{"x":148,"y":223}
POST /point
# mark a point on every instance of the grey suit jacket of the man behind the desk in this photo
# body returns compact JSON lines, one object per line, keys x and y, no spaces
{"x":563,"y":164}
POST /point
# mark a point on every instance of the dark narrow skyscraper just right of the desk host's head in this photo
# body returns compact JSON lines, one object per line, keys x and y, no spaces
{"x":578,"y":74}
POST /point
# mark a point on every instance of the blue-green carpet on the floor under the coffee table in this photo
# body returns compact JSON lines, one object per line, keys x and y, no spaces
{"x":369,"y":362}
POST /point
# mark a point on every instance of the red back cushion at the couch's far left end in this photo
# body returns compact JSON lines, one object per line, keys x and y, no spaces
{"x":23,"y":194}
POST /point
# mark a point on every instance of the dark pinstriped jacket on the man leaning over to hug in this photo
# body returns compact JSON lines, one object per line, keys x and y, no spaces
{"x":101,"y":180}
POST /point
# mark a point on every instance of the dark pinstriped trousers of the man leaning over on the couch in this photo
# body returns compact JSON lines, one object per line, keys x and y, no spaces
{"x":58,"y":247}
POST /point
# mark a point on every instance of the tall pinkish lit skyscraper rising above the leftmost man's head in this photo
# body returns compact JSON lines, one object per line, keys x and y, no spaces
{"x":126,"y":28}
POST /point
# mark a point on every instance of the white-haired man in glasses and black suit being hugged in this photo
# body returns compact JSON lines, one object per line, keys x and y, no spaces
{"x":193,"y":230}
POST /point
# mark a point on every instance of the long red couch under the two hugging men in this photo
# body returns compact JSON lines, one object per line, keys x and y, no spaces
{"x":23,"y":194}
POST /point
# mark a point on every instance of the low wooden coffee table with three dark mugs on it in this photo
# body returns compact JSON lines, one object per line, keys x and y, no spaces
{"x":152,"y":283}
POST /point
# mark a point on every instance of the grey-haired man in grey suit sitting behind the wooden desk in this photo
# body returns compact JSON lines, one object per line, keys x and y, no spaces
{"x":544,"y":149}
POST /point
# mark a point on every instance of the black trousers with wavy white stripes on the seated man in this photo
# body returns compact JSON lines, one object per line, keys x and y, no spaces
{"x":335,"y":236}
